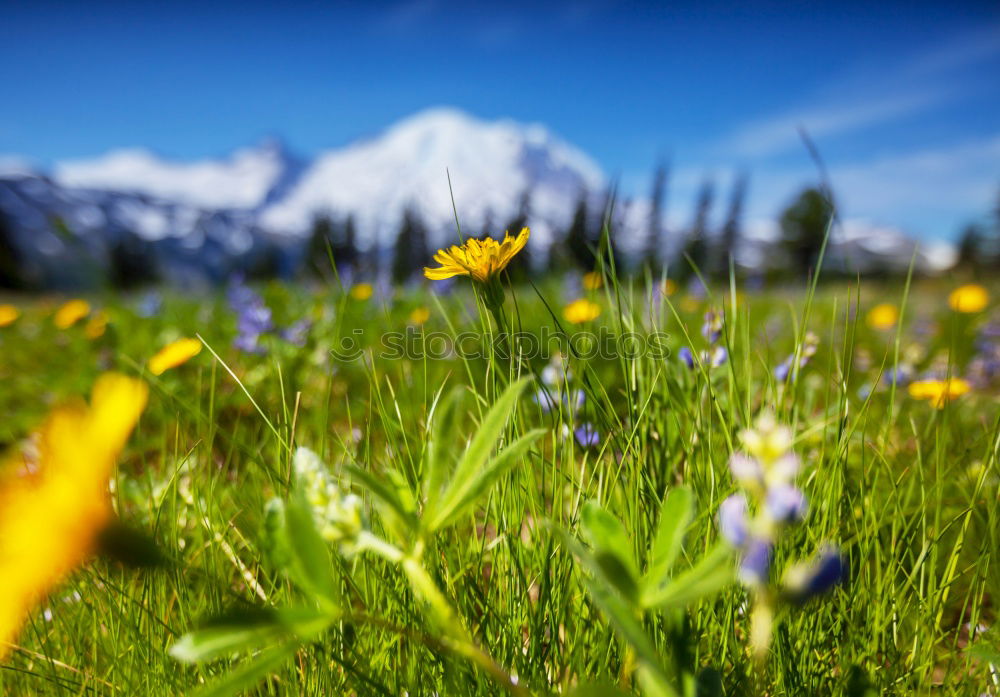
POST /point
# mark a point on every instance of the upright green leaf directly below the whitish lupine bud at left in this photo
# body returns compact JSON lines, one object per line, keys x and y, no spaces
{"x":298,"y":549}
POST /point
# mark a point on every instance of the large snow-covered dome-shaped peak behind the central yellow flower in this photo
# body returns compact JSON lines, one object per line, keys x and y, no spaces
{"x":492,"y":165}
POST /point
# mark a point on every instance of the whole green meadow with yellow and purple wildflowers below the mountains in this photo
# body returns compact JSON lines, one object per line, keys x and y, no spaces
{"x":471,"y":486}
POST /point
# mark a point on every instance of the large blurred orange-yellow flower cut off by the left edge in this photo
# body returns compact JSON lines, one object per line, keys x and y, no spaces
{"x":54,"y":497}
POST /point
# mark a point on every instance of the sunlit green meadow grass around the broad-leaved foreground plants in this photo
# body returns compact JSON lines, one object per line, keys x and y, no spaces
{"x":908,"y":491}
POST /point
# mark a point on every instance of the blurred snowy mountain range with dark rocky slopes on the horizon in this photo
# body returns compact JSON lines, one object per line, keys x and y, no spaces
{"x":201,"y":220}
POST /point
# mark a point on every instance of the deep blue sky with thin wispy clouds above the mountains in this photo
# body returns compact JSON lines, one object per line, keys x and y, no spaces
{"x":903,"y":100}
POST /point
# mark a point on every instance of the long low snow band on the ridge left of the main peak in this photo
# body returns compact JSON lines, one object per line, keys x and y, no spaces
{"x":243,"y":180}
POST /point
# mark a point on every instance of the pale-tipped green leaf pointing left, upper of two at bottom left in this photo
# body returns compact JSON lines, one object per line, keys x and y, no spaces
{"x":245,"y":630}
